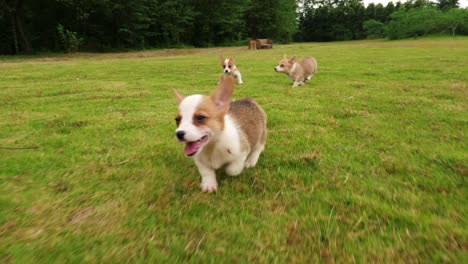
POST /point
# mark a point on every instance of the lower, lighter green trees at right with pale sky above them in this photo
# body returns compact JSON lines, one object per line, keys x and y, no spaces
{"x":329,"y":20}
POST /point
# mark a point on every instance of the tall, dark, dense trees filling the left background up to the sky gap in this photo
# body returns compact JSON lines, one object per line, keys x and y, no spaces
{"x":100,"y":25}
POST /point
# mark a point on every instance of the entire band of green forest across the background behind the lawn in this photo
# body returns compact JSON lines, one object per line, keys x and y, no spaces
{"x":101,"y":25}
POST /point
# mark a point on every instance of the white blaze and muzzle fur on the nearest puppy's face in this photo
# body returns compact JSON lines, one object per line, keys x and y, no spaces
{"x":187,"y":109}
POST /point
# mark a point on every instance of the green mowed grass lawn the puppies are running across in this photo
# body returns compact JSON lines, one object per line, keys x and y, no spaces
{"x":367,"y":162}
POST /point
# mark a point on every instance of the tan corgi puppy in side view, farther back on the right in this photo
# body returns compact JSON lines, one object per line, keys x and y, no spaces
{"x":300,"y":72}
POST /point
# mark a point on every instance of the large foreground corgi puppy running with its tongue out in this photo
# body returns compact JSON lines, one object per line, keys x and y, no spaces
{"x":218,"y":132}
